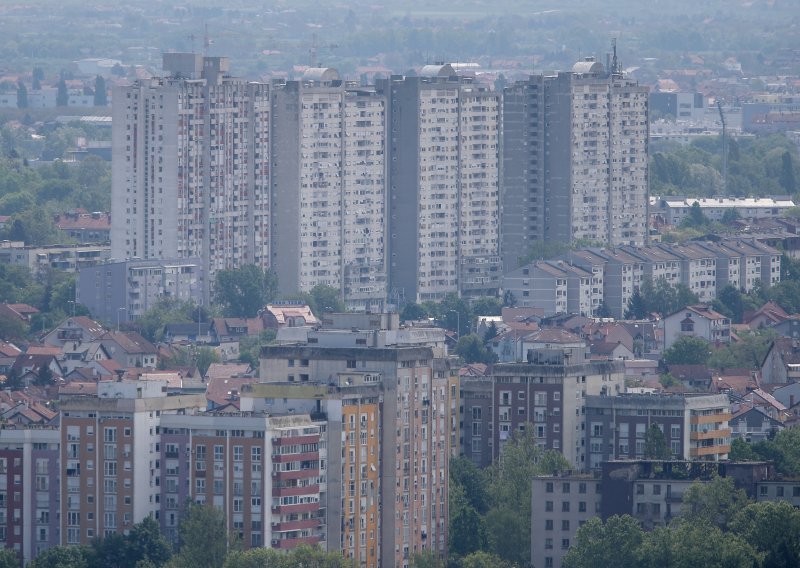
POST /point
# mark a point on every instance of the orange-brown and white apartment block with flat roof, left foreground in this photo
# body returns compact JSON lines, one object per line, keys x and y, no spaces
{"x":111,"y":458}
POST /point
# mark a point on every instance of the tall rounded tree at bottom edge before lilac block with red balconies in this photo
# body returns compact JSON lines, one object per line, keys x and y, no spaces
{"x":203,"y":537}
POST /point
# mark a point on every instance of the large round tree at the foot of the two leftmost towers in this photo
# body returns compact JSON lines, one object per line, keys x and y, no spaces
{"x":245,"y":290}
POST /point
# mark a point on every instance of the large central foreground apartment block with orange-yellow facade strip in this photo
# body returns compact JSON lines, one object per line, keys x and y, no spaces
{"x":384,"y":394}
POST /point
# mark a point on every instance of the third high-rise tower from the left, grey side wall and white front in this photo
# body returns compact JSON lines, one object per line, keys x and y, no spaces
{"x":444,"y":138}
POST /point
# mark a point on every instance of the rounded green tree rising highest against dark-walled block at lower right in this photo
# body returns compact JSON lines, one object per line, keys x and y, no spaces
{"x":713,"y":503}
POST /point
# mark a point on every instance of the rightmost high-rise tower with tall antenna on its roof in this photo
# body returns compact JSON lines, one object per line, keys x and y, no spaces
{"x":575,"y":156}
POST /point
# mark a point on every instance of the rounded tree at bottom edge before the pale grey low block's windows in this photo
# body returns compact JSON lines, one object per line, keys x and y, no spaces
{"x":598,"y":545}
